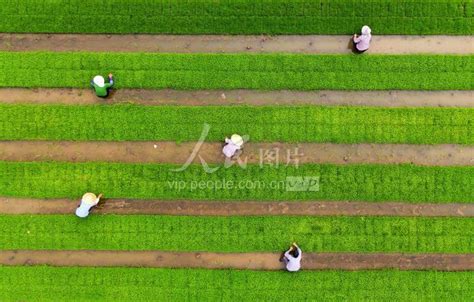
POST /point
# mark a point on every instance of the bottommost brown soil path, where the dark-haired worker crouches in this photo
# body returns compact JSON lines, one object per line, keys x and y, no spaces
{"x":252,"y":261}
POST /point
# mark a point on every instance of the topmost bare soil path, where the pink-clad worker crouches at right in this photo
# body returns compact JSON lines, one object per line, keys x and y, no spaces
{"x":225,"y":44}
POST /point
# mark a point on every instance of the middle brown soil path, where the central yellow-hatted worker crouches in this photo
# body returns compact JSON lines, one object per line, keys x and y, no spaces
{"x":255,"y":153}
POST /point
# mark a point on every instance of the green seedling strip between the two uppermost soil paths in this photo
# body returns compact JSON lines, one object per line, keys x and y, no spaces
{"x":233,"y":71}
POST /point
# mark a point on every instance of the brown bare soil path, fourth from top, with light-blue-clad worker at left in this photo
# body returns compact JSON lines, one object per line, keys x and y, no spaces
{"x":237,"y":208}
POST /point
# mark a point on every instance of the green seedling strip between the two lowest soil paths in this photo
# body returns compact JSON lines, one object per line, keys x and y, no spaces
{"x":237,"y":233}
